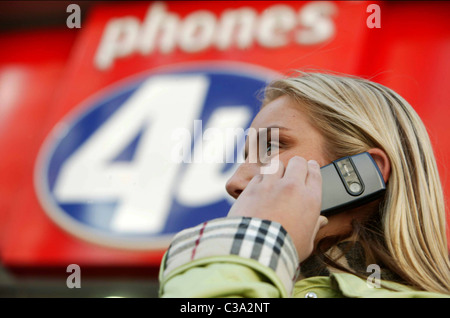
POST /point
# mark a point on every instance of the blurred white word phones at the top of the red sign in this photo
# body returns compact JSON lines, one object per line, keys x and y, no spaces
{"x":164,"y":31}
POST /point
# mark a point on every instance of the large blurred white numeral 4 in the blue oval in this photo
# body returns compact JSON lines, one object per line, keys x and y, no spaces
{"x":139,"y":186}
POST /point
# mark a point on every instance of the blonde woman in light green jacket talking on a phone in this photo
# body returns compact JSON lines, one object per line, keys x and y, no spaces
{"x":275,"y":223}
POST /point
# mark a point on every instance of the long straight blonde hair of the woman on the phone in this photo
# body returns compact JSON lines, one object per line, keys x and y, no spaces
{"x":356,"y":114}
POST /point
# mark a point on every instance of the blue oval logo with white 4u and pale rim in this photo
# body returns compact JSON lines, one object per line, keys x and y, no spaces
{"x":122,"y":169}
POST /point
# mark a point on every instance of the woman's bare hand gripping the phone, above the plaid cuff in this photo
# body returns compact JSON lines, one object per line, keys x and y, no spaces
{"x":291,"y":196}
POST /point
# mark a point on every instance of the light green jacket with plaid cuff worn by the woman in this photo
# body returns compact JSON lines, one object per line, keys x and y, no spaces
{"x":249,"y":257}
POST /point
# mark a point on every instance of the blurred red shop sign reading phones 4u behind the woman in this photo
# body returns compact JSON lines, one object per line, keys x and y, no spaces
{"x":130,"y":54}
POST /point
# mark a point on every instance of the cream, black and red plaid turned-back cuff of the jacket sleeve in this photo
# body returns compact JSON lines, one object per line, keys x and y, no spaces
{"x":263,"y":241}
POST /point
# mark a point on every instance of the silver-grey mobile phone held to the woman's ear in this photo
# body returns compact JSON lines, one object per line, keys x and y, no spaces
{"x":350,"y":182}
